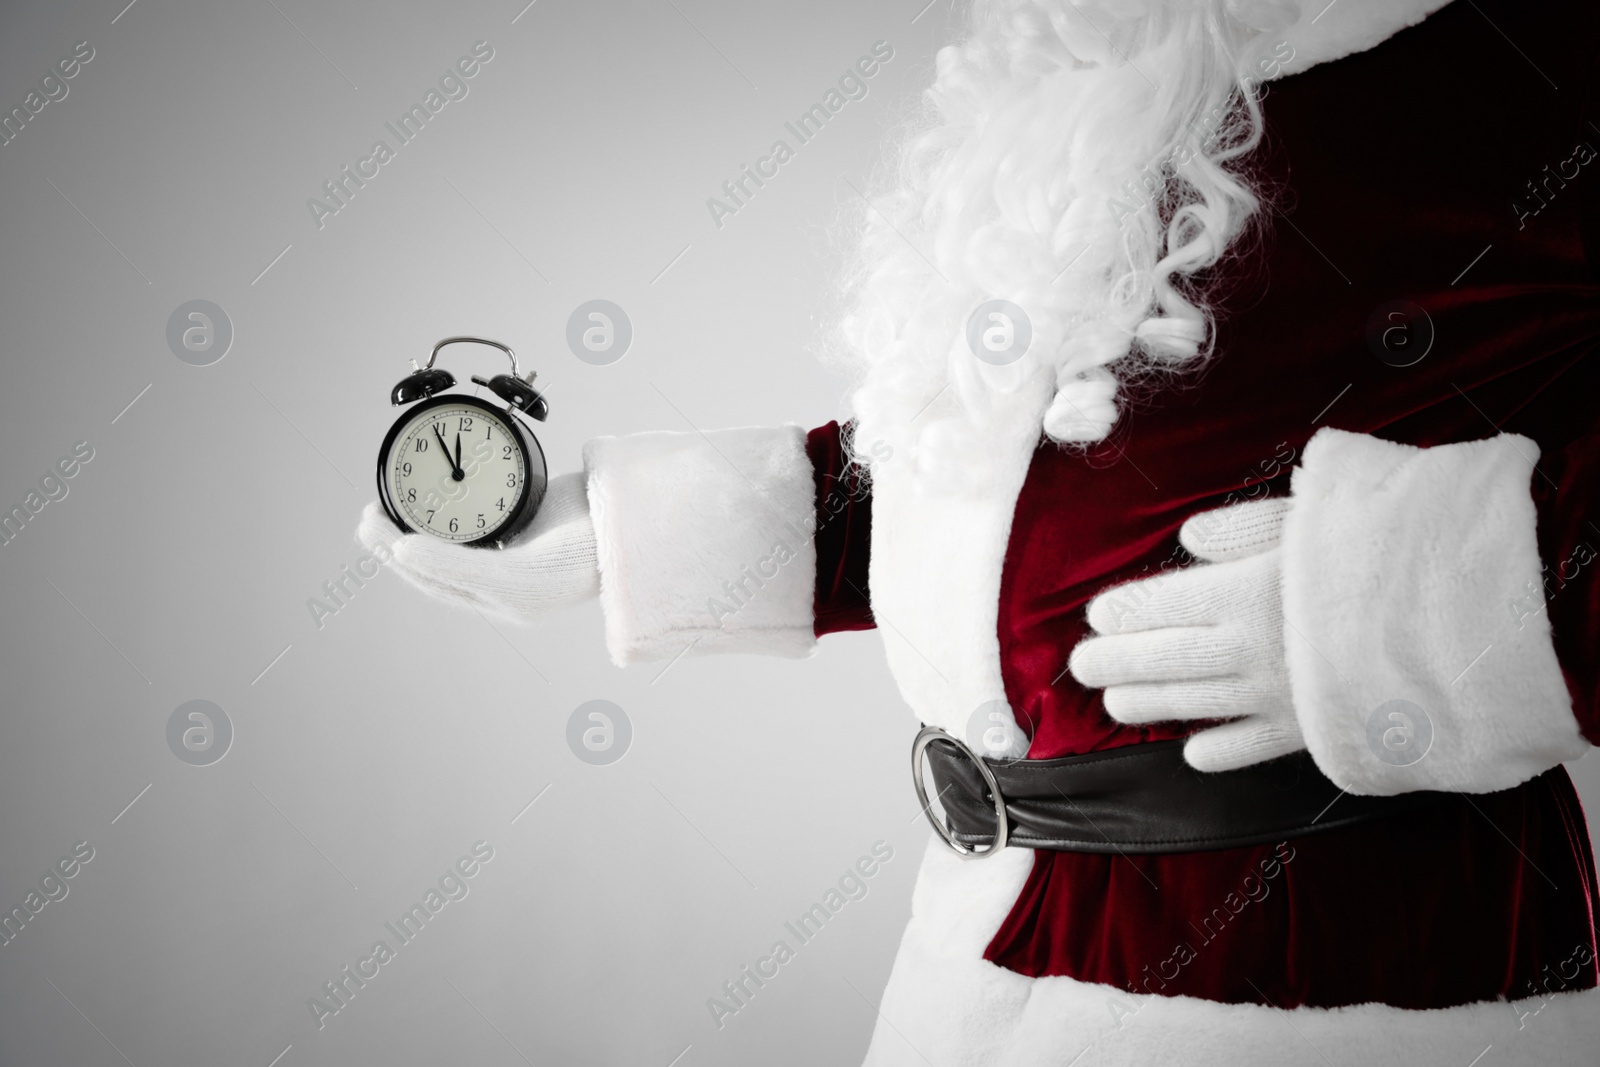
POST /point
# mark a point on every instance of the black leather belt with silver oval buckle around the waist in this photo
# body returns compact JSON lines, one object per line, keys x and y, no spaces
{"x":1138,"y":799}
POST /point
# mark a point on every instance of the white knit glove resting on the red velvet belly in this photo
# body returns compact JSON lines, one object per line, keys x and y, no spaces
{"x":1204,"y":642}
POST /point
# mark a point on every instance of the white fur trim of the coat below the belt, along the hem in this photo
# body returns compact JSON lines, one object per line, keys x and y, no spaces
{"x":948,"y":1007}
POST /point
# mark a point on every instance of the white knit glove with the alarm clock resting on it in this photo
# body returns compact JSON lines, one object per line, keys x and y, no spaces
{"x":551,"y":562}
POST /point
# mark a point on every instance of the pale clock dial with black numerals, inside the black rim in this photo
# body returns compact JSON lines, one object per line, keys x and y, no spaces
{"x":423,"y":484}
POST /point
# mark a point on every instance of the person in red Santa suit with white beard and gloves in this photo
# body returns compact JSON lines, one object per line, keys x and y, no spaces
{"x":1220,"y":476}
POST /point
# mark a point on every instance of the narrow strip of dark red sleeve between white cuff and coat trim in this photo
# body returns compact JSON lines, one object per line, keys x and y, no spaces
{"x":844,"y":535}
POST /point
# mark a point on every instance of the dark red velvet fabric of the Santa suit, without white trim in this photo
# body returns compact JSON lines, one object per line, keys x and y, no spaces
{"x":1478,"y":201}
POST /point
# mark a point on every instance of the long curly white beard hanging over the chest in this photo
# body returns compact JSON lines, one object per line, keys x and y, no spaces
{"x":1082,"y":162}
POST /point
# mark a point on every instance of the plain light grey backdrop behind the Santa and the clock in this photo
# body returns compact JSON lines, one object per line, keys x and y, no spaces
{"x":372,"y":753}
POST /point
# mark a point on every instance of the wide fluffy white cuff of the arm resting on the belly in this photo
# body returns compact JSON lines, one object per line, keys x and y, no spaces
{"x":1402,"y":573}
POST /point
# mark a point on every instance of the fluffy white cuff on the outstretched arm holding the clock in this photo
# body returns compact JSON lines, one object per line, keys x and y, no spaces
{"x":705,"y":541}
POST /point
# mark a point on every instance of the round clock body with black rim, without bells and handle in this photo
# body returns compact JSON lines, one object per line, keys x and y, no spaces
{"x":460,"y":471}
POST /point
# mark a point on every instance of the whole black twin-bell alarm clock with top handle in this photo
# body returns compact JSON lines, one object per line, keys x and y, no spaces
{"x":460,"y":468}
